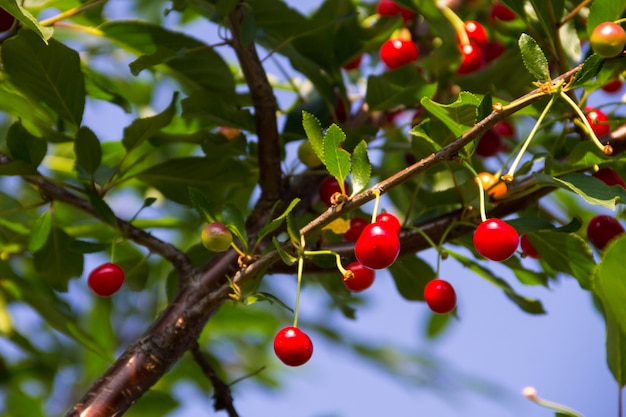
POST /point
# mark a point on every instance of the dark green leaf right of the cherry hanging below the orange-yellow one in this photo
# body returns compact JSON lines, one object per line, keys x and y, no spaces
{"x":565,"y":252}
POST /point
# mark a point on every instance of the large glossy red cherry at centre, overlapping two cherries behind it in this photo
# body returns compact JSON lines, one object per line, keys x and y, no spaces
{"x":377,"y":247}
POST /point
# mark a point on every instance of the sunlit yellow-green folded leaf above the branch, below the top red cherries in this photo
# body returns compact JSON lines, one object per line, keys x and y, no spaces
{"x":459,"y":116}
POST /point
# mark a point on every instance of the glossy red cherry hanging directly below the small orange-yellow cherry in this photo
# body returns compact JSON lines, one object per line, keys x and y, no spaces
{"x":496,"y":240}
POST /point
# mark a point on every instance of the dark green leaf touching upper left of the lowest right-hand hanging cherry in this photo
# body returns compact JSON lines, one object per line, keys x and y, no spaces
{"x":411,"y":274}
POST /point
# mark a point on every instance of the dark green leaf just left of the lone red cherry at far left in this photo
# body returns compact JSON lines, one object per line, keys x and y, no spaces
{"x":56,"y":262}
